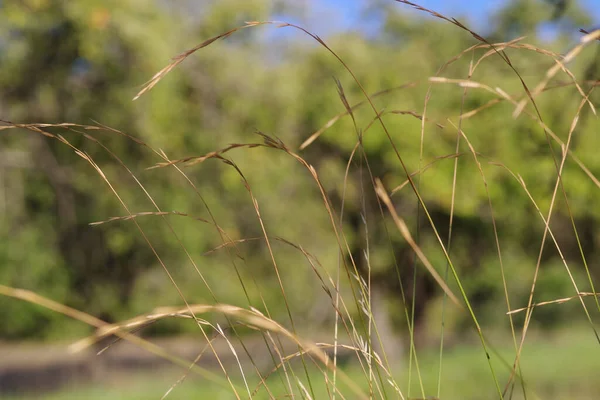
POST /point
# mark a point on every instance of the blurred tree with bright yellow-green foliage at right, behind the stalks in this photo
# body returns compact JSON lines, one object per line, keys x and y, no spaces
{"x":413,"y":47}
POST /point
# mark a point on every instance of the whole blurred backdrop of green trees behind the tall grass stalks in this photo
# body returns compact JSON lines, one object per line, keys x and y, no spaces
{"x":83,"y":61}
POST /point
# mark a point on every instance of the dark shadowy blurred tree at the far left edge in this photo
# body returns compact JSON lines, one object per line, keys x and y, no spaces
{"x":72,"y":62}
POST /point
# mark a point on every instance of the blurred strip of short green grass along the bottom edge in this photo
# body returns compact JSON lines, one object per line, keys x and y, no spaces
{"x":560,"y":366}
